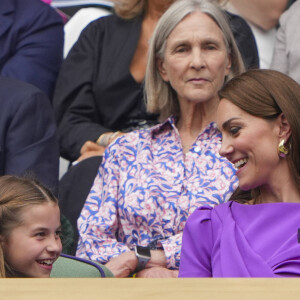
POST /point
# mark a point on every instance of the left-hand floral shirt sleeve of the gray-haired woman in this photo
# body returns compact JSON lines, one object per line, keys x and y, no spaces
{"x":98,"y":221}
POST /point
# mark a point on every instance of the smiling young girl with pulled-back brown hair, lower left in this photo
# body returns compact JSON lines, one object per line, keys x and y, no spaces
{"x":29,"y":228}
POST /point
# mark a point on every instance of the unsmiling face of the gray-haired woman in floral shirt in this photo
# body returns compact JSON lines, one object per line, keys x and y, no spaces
{"x":196,"y":60}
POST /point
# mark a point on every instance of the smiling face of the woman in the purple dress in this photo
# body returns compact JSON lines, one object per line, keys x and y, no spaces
{"x":250,"y":143}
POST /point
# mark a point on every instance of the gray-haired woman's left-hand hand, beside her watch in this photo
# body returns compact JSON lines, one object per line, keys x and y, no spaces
{"x":123,"y":265}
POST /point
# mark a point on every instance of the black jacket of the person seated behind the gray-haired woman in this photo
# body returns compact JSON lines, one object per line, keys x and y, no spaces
{"x":95,"y":90}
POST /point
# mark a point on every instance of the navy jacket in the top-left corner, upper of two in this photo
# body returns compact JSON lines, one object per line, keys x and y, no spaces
{"x":31,"y":43}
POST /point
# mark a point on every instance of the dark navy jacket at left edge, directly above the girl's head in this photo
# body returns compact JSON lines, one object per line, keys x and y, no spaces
{"x":28,"y":143}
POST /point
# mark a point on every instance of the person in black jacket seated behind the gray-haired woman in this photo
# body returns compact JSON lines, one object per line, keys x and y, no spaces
{"x":99,"y":90}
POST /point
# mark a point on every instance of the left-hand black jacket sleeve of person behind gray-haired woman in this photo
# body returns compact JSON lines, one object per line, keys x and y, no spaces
{"x":74,"y":98}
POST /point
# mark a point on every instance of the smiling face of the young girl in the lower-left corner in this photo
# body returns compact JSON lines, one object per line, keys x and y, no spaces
{"x":34,"y":245}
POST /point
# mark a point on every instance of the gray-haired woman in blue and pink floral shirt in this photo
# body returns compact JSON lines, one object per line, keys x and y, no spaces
{"x":151,"y":180}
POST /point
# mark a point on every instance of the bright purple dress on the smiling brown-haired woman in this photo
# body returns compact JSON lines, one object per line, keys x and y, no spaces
{"x":238,"y":240}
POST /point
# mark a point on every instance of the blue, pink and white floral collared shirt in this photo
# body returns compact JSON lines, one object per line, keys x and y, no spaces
{"x":146,"y":188}
